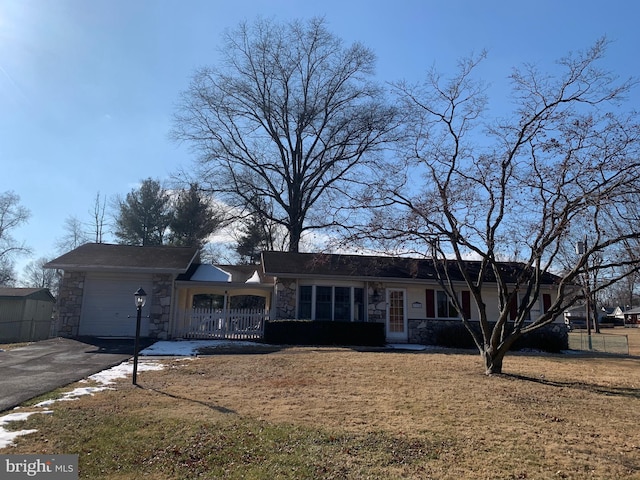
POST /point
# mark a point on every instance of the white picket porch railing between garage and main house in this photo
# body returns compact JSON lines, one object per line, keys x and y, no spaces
{"x":233,"y":323}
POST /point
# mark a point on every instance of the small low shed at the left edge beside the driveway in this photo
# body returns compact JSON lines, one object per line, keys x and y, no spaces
{"x":25,"y":314}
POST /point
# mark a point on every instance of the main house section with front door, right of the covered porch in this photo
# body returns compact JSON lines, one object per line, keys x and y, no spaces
{"x":403,"y":293}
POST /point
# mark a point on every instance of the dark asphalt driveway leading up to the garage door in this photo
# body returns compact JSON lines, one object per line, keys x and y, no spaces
{"x":40,"y":367}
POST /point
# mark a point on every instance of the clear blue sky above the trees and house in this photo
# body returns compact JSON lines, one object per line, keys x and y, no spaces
{"x":88,"y":87}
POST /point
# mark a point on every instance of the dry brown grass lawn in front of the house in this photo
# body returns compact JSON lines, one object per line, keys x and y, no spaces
{"x":435,"y":413}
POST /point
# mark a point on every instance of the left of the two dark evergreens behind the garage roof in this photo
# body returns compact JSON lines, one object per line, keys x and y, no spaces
{"x":144,"y":215}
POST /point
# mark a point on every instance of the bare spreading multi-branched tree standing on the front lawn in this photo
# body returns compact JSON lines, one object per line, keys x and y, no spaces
{"x":562,"y":167}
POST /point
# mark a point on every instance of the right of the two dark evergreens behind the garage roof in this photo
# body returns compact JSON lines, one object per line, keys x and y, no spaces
{"x":193,"y":219}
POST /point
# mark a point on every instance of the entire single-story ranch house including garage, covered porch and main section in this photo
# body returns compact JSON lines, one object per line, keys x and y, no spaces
{"x":187,"y":299}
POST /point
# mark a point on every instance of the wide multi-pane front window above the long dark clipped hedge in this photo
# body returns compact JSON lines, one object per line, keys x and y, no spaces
{"x":319,"y":302}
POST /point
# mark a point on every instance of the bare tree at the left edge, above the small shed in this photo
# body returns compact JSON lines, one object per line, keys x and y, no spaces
{"x":12,"y":216}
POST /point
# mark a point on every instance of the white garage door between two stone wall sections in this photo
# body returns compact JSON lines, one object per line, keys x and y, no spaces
{"x":108,"y":307}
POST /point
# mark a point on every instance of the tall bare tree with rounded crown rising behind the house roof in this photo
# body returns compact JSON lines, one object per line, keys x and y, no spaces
{"x":284,"y":121}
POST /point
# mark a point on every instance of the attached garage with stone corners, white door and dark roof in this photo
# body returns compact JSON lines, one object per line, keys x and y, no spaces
{"x":96,"y":297}
